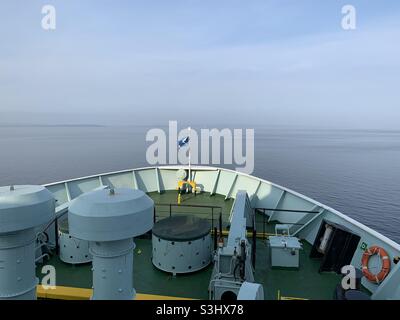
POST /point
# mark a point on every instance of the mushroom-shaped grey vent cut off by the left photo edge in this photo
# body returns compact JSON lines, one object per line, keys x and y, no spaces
{"x":22,"y":208}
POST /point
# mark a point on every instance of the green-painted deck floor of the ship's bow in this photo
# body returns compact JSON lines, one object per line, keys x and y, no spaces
{"x":305,"y":282}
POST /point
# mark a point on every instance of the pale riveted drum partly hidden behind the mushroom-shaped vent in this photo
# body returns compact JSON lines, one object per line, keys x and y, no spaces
{"x":72,"y":250}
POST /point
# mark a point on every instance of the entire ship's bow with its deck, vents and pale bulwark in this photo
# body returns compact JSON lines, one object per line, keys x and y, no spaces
{"x":106,"y":211}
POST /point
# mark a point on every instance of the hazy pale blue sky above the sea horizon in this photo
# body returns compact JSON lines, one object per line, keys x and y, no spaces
{"x":201,"y":61}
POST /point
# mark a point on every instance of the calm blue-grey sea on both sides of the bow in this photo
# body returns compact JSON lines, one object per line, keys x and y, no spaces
{"x":356,"y":171}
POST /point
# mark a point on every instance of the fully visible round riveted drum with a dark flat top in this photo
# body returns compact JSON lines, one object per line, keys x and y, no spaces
{"x":181,"y":244}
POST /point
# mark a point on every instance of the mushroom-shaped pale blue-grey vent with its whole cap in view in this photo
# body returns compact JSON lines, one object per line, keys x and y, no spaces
{"x":109,"y":219}
